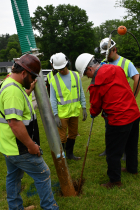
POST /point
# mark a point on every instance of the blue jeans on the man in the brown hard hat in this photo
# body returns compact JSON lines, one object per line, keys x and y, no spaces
{"x":35,"y":167}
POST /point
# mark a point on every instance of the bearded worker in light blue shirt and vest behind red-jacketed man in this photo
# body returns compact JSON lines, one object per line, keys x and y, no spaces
{"x":127,"y":65}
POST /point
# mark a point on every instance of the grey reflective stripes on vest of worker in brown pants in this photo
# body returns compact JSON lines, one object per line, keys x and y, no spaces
{"x":62,"y":102}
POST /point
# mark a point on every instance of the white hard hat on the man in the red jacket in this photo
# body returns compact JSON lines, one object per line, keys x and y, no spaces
{"x":82,"y":61}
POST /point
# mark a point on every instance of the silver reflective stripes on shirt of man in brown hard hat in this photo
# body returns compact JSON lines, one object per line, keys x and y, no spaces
{"x":17,"y":111}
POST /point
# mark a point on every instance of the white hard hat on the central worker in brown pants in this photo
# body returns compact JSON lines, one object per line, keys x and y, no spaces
{"x":59,"y":61}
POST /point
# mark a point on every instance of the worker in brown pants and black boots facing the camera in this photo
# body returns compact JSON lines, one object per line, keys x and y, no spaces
{"x":67,"y":97}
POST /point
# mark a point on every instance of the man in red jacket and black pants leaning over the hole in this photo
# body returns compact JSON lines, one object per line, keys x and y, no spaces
{"x":111,"y":94}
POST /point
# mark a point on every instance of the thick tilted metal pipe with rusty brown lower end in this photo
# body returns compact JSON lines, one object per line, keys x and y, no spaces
{"x":53,"y":138}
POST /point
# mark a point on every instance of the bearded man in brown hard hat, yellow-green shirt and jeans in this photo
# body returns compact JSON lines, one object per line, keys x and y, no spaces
{"x":19,"y":135}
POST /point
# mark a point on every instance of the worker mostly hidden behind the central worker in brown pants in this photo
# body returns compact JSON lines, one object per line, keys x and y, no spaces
{"x":50,"y":75}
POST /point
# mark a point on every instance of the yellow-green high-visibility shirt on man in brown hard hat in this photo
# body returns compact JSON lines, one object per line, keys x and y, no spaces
{"x":9,"y":144}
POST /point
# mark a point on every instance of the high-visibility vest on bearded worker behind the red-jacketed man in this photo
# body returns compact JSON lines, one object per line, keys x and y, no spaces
{"x":124,"y":63}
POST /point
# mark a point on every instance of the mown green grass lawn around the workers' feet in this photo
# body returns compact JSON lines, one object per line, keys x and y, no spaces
{"x":93,"y":196}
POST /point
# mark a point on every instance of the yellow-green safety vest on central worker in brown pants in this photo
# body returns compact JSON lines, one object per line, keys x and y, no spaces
{"x":68,"y":102}
